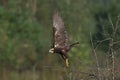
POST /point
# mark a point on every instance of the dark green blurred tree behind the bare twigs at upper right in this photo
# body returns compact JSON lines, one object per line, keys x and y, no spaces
{"x":106,"y":19}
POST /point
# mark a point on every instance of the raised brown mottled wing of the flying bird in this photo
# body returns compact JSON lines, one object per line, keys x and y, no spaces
{"x":59,"y":32}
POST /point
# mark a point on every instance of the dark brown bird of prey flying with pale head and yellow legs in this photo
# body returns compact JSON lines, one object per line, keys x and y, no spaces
{"x":60,"y":38}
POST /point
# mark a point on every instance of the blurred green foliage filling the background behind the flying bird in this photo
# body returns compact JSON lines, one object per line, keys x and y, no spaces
{"x":26,"y":31}
